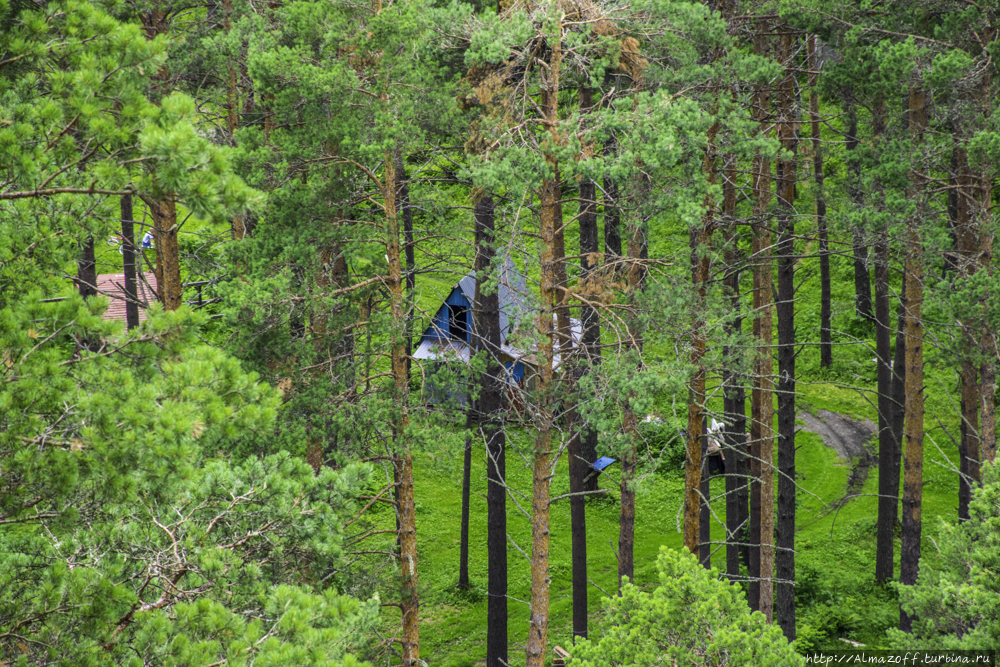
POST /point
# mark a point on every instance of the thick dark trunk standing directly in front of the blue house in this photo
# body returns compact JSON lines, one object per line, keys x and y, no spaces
{"x":491,"y":392}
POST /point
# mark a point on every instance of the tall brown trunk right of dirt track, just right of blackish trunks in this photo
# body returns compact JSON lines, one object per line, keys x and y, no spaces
{"x":913,"y":462}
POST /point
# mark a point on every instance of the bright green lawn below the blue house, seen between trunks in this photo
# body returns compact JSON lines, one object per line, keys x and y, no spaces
{"x":452,"y":622}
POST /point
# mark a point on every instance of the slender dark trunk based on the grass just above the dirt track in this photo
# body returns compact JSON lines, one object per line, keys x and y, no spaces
{"x":826,"y":307}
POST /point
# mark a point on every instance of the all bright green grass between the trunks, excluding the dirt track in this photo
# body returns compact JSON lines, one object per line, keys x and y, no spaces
{"x":838,"y":597}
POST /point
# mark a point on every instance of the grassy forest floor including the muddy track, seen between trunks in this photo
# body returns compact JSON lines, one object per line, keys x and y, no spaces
{"x":837,"y":596}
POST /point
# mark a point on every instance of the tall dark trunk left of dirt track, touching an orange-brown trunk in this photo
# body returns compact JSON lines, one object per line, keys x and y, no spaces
{"x":785,"y":526}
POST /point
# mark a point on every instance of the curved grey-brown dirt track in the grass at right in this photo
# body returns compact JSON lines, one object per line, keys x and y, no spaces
{"x":848,"y":437}
